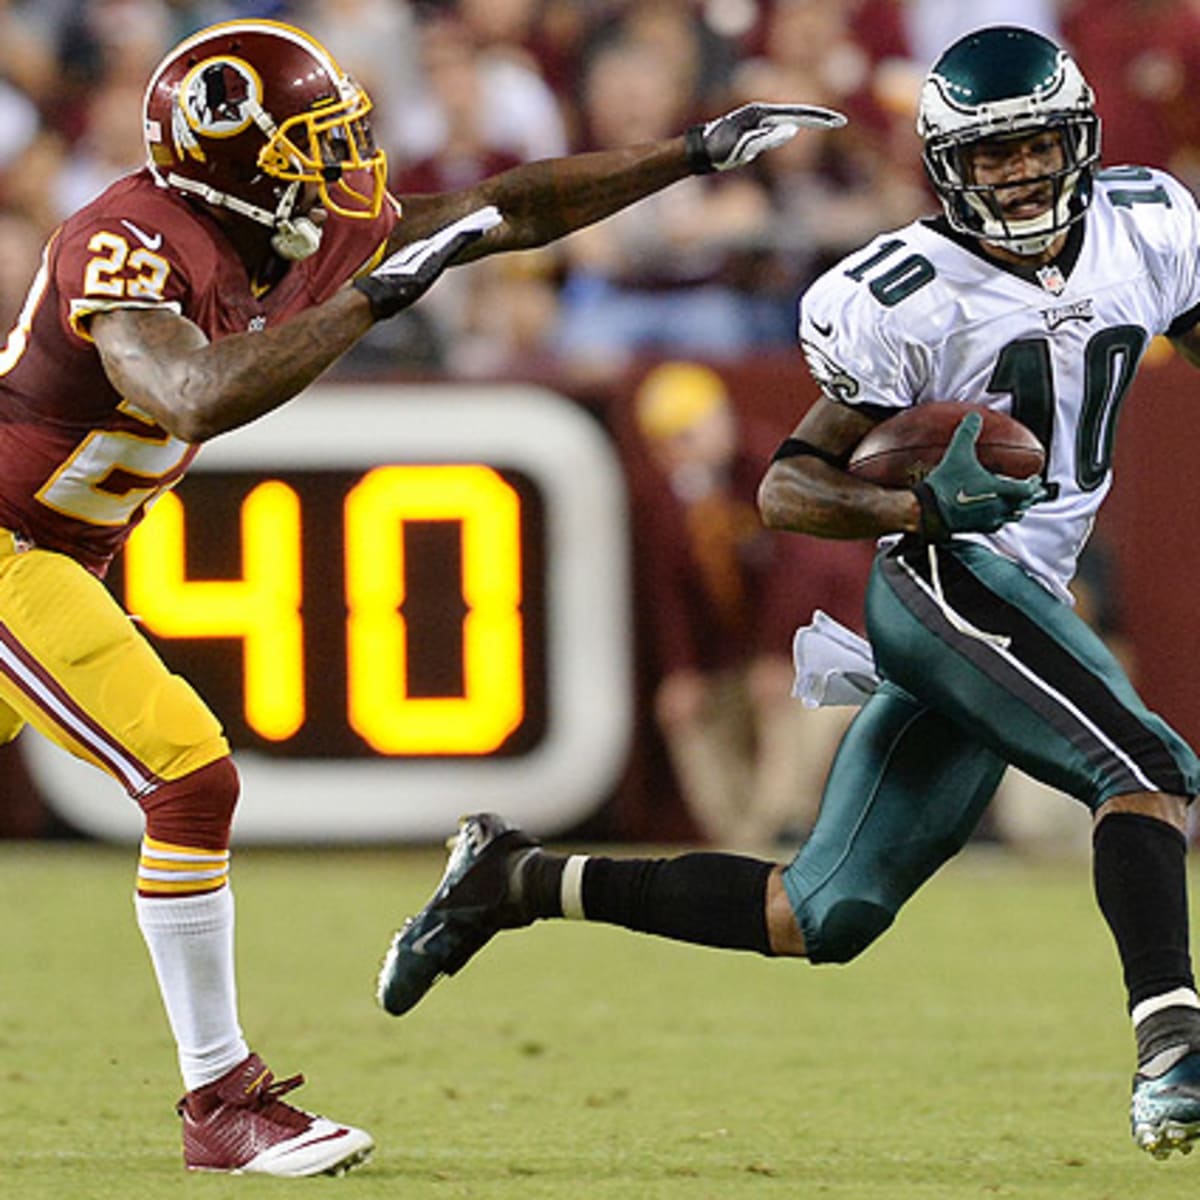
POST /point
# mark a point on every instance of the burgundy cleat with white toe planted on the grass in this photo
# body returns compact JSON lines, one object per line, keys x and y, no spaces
{"x":239,"y":1125}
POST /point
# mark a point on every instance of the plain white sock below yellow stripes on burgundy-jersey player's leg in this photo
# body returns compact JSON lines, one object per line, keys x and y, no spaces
{"x":191,"y":945}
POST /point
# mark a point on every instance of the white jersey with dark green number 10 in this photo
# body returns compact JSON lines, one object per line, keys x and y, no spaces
{"x":921,"y":315}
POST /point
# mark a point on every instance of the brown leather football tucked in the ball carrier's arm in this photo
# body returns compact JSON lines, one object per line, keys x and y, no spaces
{"x":902,"y":451}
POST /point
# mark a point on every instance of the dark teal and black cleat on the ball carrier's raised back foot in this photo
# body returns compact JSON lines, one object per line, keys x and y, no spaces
{"x":471,"y":905}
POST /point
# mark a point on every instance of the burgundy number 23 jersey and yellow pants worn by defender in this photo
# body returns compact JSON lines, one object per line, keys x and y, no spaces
{"x":80,"y":466}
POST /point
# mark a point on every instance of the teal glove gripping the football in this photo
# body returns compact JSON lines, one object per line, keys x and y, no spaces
{"x":961,"y":496}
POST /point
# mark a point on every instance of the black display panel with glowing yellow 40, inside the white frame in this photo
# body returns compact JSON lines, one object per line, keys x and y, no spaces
{"x":391,"y":613}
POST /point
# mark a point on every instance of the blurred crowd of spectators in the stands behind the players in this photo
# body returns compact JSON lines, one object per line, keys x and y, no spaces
{"x":467,"y":88}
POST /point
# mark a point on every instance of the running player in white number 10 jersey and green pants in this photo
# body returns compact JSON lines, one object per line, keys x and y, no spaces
{"x":1036,"y":293}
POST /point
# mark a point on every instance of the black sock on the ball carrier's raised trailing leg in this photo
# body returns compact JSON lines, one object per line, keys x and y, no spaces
{"x":710,"y":899}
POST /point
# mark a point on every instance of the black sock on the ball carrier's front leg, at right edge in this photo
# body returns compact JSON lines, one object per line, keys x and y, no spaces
{"x":1141,"y":877}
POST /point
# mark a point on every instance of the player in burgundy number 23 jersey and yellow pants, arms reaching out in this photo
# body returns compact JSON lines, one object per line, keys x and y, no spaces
{"x":188,"y":299}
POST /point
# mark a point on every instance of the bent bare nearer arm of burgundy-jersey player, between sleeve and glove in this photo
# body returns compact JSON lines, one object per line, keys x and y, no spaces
{"x":197,"y":389}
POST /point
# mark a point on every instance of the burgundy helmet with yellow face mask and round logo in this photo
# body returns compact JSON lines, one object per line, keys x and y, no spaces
{"x":247,"y":113}
